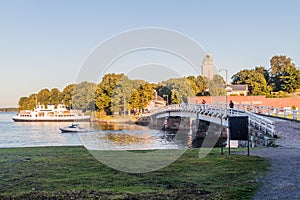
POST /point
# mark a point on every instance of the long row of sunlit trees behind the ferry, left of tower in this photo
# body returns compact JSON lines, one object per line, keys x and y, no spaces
{"x":116,"y":93}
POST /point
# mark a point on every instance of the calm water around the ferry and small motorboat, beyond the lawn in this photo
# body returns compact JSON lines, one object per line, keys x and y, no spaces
{"x":99,"y":136}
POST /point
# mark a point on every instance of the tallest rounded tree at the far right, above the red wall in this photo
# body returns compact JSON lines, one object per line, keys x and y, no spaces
{"x":284,"y":74}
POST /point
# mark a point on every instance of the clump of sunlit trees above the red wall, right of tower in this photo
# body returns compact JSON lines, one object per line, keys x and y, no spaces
{"x":281,"y":78}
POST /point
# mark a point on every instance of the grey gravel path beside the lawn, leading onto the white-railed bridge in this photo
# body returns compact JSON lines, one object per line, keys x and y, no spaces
{"x":283,"y":180}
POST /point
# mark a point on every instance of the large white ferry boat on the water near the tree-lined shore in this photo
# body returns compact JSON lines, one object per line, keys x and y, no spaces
{"x":50,"y":114}
